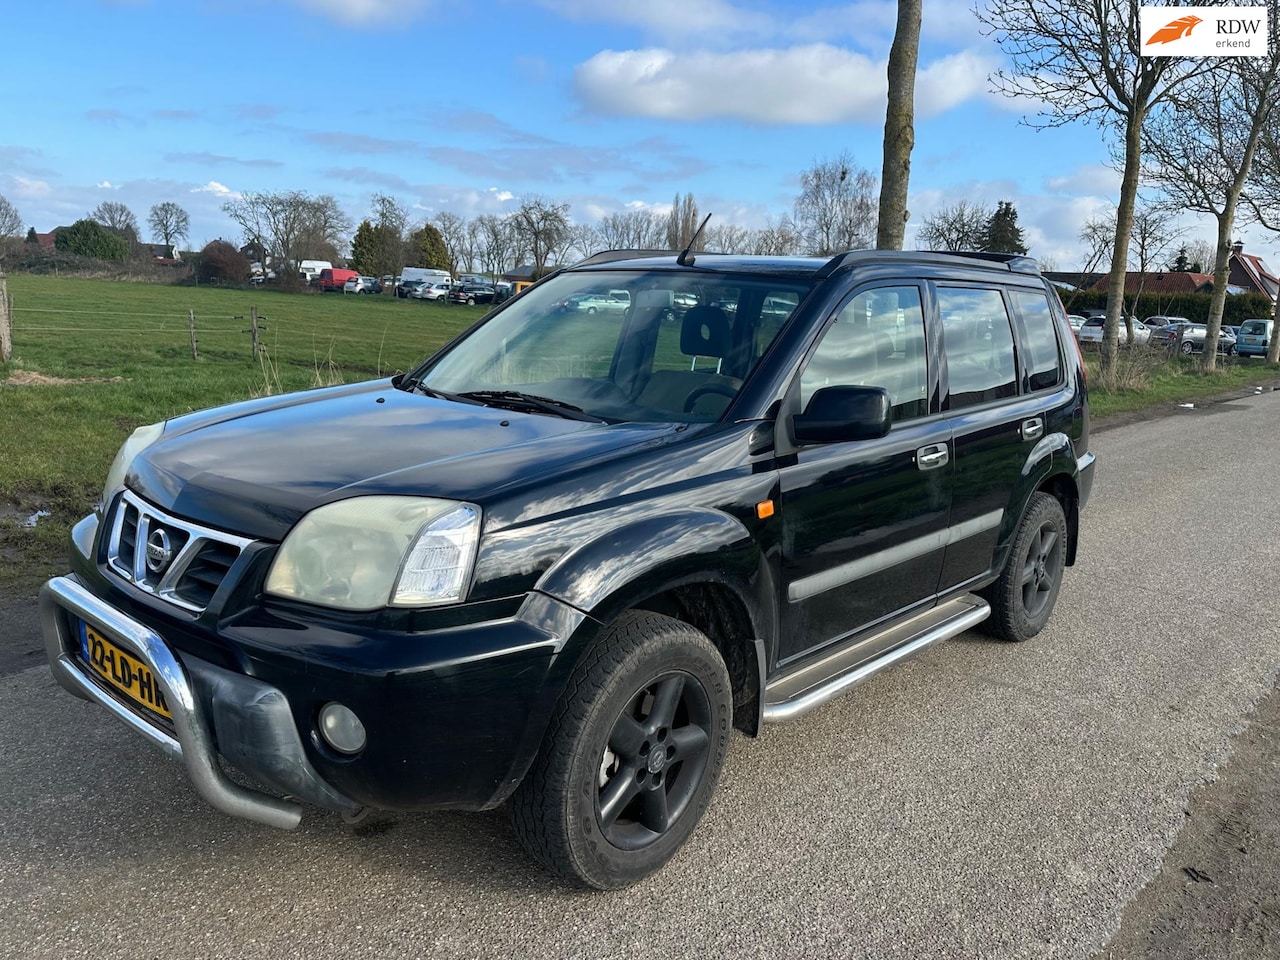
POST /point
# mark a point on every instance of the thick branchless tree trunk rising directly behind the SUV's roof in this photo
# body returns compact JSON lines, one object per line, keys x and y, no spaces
{"x":899,"y":127}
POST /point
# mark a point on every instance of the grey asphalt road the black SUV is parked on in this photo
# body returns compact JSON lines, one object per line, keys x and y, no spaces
{"x":981,"y":801}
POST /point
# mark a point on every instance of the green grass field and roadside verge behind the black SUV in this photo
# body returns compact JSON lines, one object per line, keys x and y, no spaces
{"x":95,"y":359}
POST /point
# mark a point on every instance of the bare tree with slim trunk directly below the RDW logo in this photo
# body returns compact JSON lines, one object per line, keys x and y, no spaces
{"x":1203,"y":149}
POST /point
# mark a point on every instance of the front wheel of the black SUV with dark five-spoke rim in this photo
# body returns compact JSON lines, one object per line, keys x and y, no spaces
{"x":632,"y":757}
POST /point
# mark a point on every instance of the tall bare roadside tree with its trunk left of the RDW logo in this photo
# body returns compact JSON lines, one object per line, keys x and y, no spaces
{"x":1084,"y":62}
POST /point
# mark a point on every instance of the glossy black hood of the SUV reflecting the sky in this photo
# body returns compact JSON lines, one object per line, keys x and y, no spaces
{"x":255,"y":469}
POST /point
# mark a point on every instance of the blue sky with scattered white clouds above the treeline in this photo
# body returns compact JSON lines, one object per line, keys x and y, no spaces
{"x":470,"y":107}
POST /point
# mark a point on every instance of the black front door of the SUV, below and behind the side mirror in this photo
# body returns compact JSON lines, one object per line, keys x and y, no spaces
{"x":865,"y":522}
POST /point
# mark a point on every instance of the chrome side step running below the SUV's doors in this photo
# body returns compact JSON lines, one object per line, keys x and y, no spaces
{"x":798,"y":693}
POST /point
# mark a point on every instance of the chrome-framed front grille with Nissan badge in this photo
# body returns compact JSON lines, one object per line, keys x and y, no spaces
{"x":175,"y":560}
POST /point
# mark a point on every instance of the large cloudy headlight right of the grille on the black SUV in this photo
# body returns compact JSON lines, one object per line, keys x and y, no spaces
{"x":373,"y":552}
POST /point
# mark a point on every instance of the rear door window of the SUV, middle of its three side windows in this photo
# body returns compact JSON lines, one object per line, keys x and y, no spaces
{"x":979,"y":344}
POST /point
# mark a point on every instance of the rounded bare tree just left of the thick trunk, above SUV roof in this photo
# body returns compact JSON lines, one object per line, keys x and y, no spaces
{"x":836,"y":208}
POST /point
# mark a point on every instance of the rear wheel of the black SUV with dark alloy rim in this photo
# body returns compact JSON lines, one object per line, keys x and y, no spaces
{"x":1022,"y":600}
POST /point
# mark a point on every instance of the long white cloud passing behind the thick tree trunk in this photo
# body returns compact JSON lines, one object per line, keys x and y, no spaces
{"x":804,"y":85}
